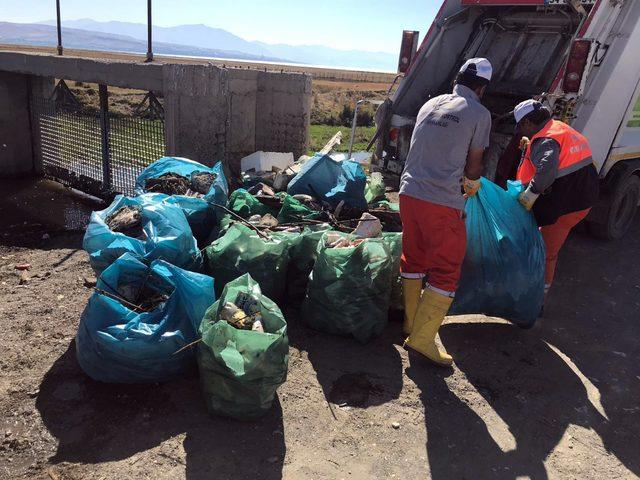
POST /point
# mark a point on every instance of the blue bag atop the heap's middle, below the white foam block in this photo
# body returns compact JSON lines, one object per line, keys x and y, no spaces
{"x":331,"y":181}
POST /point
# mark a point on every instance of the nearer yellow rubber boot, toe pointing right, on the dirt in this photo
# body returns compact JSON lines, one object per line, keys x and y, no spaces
{"x":432,"y":309}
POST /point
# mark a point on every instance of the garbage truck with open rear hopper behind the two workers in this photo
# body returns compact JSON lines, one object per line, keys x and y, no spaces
{"x":580,"y":58}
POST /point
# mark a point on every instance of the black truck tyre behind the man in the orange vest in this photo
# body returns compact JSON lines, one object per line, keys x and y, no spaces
{"x":624,"y":205}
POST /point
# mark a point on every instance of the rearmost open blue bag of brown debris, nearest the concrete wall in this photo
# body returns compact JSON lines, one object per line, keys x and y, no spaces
{"x":201,"y":215}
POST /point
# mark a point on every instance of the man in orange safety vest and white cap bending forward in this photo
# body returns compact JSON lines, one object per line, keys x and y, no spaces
{"x":560,"y":177}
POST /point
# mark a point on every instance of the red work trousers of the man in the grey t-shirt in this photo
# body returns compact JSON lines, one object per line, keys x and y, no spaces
{"x":434,"y":242}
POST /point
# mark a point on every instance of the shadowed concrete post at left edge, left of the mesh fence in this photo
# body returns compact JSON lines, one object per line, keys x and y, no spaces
{"x":16,"y":154}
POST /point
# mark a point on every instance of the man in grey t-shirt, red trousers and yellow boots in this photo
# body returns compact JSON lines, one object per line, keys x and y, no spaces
{"x":446,"y":152}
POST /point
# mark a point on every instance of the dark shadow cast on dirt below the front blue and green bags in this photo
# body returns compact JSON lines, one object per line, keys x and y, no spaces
{"x":96,"y":422}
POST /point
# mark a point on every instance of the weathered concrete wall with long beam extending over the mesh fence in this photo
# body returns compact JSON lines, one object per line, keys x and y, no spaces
{"x":211,"y":113}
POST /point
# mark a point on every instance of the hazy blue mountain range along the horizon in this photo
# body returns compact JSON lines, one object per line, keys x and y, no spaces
{"x":192,"y":40}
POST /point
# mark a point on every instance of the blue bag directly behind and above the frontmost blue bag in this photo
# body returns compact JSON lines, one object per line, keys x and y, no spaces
{"x":168,"y":234}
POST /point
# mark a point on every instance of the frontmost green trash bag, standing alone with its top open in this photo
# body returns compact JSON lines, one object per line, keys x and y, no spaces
{"x":240,"y":370}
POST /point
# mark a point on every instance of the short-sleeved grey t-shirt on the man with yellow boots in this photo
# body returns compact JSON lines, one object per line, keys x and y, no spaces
{"x":447,"y":127}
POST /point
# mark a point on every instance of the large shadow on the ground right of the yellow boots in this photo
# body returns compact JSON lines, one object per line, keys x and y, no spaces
{"x":578,"y":366}
